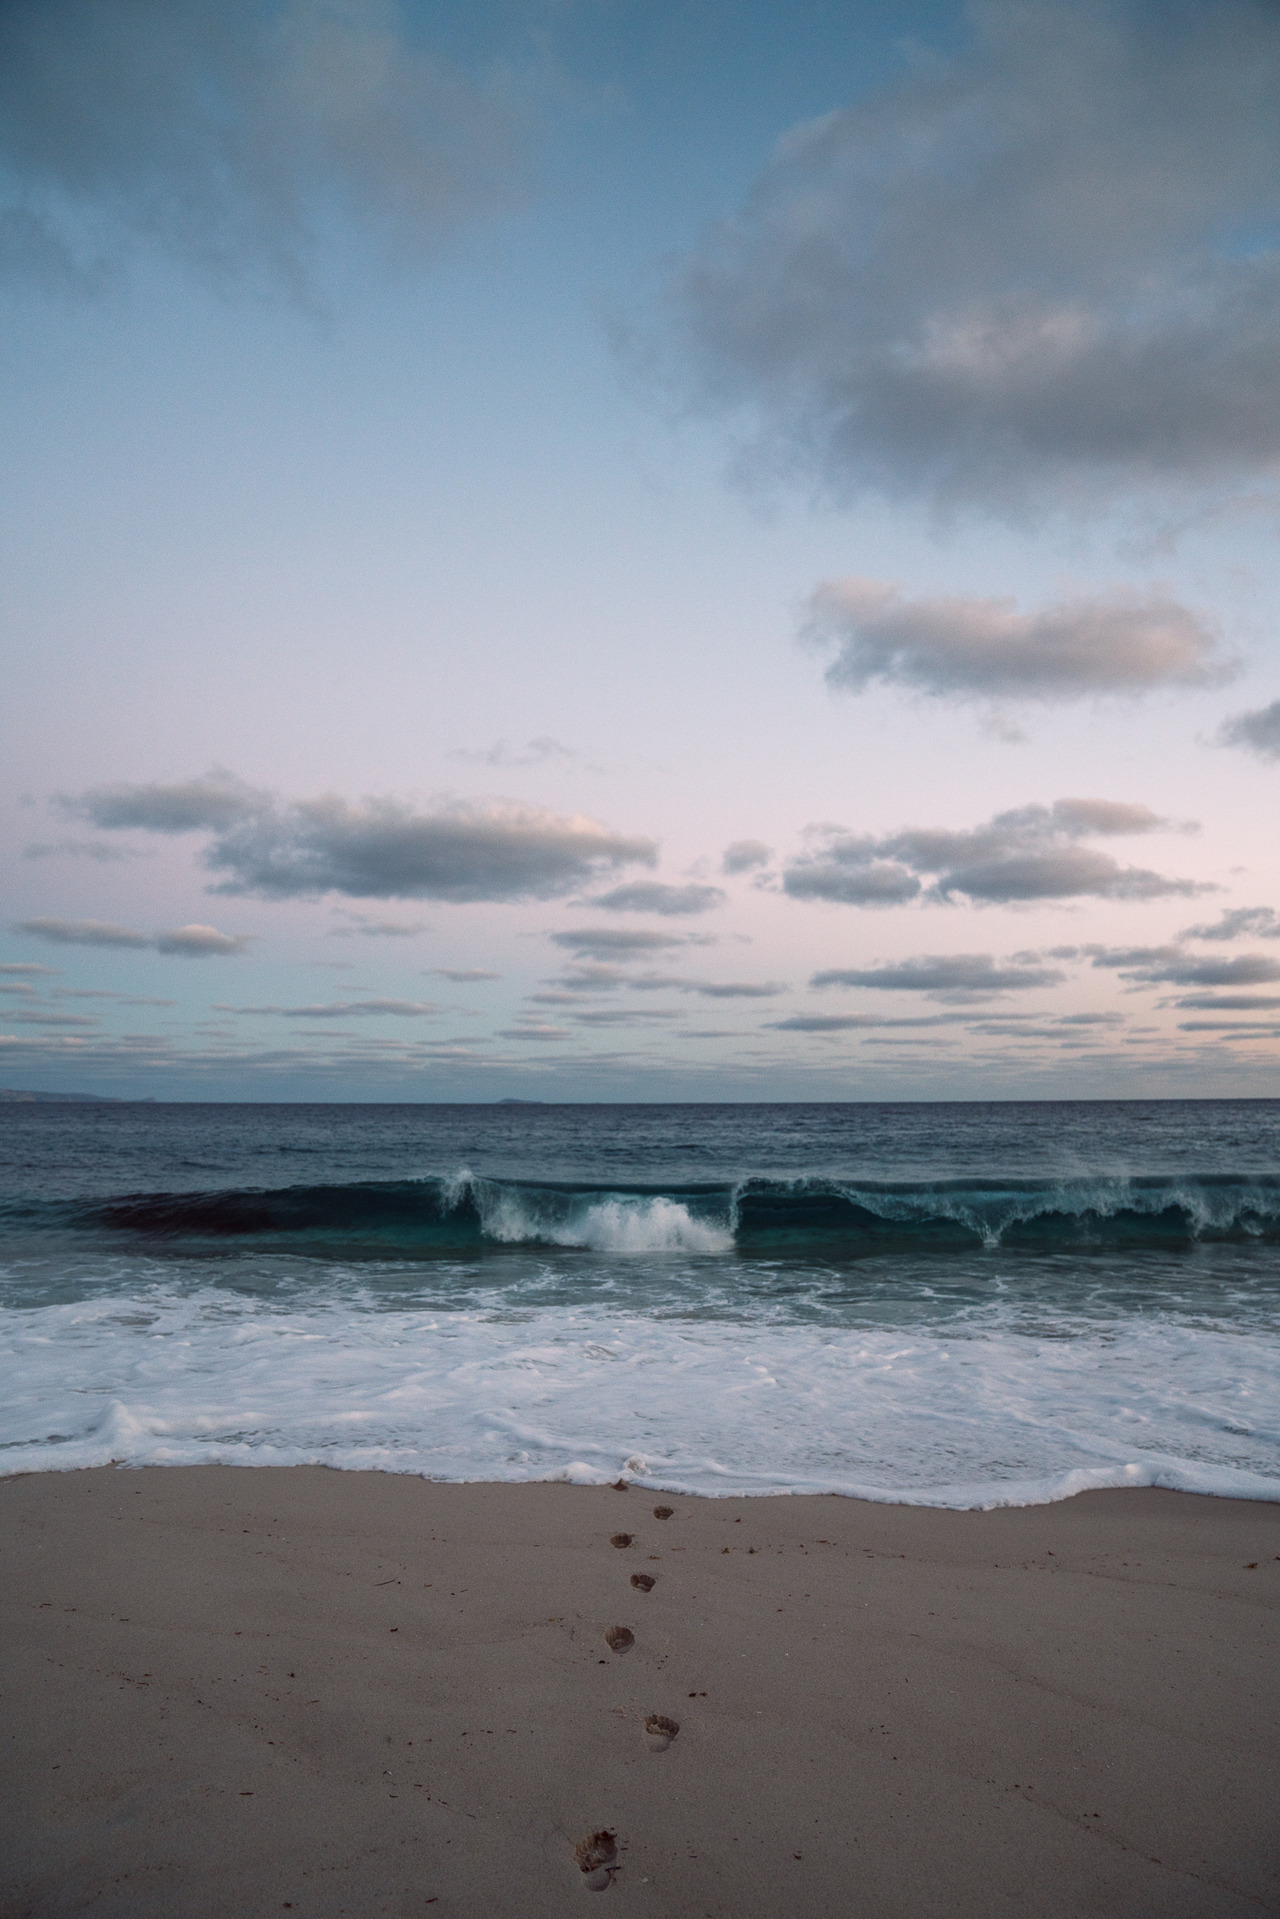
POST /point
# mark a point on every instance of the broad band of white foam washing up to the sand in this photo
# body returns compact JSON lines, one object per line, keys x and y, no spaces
{"x":976,"y":1411}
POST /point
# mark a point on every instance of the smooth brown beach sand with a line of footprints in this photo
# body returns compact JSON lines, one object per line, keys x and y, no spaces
{"x":258,"y":1692}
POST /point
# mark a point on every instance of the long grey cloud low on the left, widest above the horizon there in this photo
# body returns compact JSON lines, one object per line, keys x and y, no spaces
{"x":375,"y":849}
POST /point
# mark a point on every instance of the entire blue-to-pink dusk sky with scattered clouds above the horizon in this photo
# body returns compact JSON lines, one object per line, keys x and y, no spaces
{"x":621,"y":550}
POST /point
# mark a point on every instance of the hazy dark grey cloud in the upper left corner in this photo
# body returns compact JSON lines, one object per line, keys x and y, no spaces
{"x":231,"y":135}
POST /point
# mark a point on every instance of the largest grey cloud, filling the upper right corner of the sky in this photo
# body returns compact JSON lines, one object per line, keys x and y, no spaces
{"x":1033,"y":272}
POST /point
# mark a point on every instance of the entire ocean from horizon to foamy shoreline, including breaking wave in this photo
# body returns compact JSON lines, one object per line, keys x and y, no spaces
{"x":953,"y":1306}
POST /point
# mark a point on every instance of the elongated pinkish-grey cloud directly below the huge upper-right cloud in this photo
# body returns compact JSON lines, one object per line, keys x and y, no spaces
{"x":985,"y":650}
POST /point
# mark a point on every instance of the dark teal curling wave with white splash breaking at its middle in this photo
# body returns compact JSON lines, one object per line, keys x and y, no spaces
{"x":769,"y":1220}
